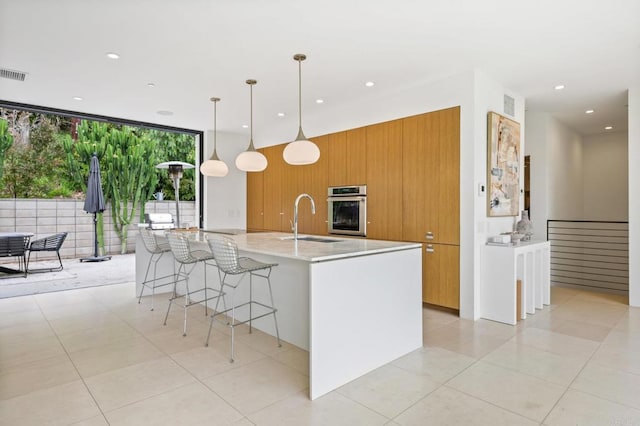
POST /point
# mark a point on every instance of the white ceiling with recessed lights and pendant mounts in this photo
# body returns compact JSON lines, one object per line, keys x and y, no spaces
{"x":192,"y":50}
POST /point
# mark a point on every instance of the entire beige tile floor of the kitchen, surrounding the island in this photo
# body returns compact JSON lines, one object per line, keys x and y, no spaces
{"x":95,"y":357}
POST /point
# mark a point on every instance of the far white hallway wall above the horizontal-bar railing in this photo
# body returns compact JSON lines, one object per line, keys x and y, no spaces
{"x":605,"y":177}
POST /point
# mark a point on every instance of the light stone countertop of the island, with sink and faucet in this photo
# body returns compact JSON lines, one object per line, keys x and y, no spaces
{"x":282,"y":245}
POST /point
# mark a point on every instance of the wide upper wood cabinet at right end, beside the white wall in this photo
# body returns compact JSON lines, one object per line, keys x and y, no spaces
{"x":431,"y":177}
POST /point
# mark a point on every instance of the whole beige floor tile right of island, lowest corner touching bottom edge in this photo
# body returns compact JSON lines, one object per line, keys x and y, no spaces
{"x":522,"y":394}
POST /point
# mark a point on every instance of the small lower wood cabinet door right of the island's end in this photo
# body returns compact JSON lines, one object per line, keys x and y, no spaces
{"x":441,"y":275}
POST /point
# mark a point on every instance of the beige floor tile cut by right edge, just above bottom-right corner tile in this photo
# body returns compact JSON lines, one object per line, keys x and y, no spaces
{"x":614,"y":385}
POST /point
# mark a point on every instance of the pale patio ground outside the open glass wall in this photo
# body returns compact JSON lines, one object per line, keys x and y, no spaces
{"x":120,"y":269}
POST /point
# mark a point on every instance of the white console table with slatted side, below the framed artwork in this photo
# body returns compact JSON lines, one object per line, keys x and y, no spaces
{"x":501,"y":267}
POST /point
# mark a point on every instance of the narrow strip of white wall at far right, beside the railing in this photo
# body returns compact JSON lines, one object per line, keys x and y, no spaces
{"x":634,"y":195}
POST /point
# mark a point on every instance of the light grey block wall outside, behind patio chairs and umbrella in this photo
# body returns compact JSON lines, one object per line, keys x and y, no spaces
{"x":46,"y":217}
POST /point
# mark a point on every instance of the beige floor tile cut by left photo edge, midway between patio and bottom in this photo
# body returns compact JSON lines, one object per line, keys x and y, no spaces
{"x":29,"y":350}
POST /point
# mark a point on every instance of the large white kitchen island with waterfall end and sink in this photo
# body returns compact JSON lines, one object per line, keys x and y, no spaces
{"x":354,"y":304}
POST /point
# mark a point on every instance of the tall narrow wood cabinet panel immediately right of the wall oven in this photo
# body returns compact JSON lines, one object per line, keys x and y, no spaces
{"x":384,"y":180}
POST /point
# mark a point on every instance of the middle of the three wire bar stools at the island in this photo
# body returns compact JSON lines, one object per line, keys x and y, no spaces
{"x":188,"y":259}
